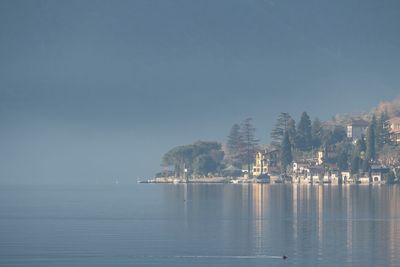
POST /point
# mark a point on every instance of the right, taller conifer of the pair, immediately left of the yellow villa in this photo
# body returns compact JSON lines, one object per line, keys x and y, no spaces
{"x":250,"y":142}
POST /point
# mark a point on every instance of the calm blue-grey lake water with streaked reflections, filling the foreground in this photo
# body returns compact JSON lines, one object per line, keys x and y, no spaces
{"x":199,"y":225}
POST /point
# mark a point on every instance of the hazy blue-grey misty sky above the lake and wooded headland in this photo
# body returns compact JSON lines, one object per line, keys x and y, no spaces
{"x":93,"y":91}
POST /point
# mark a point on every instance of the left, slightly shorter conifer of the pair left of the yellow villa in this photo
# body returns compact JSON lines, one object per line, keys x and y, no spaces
{"x":234,"y":146}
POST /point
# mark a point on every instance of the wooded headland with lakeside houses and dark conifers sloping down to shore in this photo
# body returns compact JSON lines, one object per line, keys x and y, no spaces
{"x":363,"y":149}
